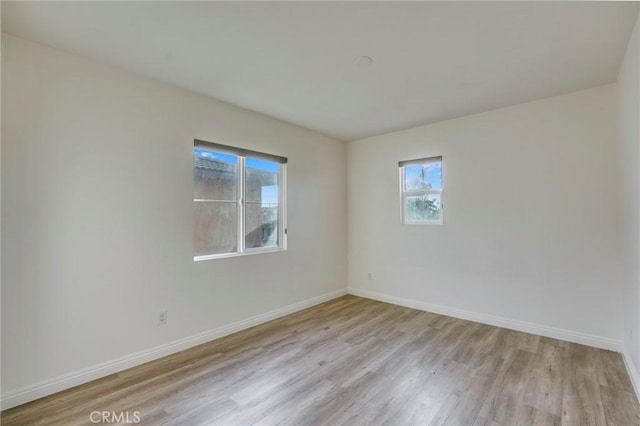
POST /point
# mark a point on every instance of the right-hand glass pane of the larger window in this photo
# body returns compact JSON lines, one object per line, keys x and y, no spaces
{"x":261,"y":205}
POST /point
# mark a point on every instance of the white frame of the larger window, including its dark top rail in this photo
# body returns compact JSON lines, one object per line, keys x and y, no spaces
{"x":242,"y":155}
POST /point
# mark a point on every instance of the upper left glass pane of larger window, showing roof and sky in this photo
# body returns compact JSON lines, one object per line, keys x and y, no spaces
{"x":215,"y":175}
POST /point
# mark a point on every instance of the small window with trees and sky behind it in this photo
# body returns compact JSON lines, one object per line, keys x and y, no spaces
{"x":421,"y":191}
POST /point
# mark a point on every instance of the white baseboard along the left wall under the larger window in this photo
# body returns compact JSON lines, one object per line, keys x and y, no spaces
{"x":57,"y":384}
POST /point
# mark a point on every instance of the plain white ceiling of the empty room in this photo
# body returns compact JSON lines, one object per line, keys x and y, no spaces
{"x":296,"y":61}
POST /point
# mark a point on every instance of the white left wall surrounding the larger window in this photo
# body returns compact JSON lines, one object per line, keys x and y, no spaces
{"x":97,"y":176}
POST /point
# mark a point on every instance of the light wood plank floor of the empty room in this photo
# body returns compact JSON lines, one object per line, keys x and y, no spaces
{"x":360,"y":362}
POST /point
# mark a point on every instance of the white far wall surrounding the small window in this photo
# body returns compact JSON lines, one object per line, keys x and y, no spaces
{"x":530,"y":217}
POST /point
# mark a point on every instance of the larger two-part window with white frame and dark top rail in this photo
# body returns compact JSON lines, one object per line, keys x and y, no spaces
{"x":239,"y":201}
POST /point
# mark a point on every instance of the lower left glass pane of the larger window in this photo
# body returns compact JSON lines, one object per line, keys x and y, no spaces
{"x":215,"y":229}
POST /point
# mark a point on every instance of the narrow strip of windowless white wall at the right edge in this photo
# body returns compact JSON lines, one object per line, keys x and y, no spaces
{"x":629,"y":115}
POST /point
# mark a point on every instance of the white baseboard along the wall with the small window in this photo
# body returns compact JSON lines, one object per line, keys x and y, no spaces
{"x":527,"y":327}
